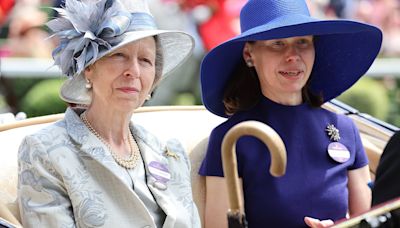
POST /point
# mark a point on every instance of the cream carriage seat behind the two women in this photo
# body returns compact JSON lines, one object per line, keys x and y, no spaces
{"x":191,"y":125}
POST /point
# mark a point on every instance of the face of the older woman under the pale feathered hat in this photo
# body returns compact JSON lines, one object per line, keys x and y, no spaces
{"x":123,"y":79}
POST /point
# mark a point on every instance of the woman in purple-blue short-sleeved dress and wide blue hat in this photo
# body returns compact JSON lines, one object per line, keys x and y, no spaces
{"x":280,"y":70}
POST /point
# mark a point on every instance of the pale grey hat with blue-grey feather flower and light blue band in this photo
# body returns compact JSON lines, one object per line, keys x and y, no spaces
{"x":90,"y":29}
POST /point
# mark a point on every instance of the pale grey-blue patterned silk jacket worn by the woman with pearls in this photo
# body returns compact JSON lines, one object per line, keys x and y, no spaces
{"x":67,"y":178}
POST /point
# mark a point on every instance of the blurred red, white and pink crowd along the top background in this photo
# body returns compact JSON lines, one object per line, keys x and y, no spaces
{"x":211,"y":21}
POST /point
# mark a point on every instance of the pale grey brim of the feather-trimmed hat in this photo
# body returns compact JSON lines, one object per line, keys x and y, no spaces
{"x":176,"y":46}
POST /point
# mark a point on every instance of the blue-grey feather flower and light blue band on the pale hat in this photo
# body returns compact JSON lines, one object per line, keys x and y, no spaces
{"x":83,"y":36}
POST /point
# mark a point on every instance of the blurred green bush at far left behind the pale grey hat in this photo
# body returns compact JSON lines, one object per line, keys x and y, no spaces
{"x":43,"y":99}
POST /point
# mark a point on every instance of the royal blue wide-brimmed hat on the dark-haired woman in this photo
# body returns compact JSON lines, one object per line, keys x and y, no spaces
{"x":344,"y":50}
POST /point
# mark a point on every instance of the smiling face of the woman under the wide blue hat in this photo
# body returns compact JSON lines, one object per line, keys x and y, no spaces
{"x":283,"y":65}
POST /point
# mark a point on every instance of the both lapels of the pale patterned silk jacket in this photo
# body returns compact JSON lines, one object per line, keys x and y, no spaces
{"x":151,"y":151}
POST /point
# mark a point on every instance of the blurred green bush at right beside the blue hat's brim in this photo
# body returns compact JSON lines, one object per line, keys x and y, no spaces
{"x":368,"y":96}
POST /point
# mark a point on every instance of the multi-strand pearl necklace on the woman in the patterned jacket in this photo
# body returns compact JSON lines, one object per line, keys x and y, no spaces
{"x":128,"y":163}
